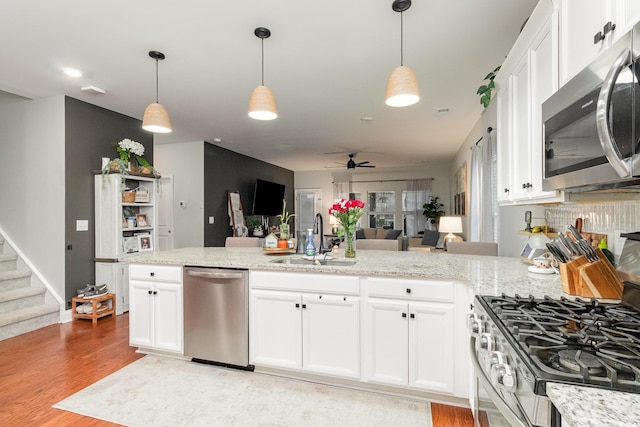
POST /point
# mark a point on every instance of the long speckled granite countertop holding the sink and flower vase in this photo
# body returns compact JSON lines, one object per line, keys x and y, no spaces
{"x":486,"y":275}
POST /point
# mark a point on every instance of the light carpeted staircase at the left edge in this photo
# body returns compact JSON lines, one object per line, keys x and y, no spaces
{"x":22,"y":306}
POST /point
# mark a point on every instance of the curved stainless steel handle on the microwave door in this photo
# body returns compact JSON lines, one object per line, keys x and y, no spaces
{"x":602,"y":114}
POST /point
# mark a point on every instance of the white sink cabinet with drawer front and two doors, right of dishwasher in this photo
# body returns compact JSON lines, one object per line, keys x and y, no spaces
{"x":307,"y":322}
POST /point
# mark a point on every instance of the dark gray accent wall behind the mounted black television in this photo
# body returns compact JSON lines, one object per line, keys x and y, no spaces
{"x":225,"y":171}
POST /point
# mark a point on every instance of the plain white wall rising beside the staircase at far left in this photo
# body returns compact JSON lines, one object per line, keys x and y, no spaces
{"x":32,"y":183}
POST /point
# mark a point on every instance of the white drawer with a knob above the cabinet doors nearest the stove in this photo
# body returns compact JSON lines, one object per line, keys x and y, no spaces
{"x":429,"y":290}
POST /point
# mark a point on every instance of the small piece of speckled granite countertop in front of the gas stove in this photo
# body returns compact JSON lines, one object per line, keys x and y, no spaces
{"x":594,"y":407}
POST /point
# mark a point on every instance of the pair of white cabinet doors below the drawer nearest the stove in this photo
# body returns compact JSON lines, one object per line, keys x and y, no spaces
{"x":410,"y":344}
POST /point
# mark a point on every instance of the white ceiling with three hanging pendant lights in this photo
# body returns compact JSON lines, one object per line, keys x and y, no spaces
{"x":326,"y":61}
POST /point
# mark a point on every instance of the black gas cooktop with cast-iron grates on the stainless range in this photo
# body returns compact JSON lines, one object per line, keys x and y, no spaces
{"x":573,"y":341}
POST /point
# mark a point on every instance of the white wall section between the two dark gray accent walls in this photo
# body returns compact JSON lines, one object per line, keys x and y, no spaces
{"x":185,"y":161}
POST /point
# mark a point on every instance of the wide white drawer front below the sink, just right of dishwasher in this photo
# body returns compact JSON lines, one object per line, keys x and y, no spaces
{"x":305,"y":282}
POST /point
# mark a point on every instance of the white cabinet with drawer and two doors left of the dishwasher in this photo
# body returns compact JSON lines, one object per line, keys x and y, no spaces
{"x":156,"y":313}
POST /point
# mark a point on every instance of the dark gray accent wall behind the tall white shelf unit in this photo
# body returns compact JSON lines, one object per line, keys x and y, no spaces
{"x":90,"y":134}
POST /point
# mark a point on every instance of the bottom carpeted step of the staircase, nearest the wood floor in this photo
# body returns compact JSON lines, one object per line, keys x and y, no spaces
{"x":28,"y":319}
